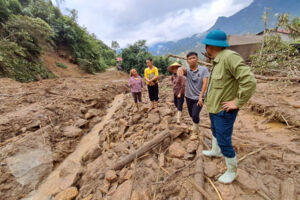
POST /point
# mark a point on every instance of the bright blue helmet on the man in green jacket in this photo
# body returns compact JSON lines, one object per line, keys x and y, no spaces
{"x":216,"y":38}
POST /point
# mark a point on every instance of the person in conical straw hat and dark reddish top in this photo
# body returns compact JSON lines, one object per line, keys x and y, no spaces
{"x":178,"y":80}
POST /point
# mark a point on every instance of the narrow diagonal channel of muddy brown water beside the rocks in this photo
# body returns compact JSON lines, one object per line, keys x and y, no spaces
{"x":62,"y":177}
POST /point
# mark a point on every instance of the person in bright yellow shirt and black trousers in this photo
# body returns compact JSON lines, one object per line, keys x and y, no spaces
{"x":151,"y":76}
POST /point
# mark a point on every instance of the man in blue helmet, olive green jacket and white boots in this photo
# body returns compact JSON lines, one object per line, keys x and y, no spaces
{"x":230,"y":86}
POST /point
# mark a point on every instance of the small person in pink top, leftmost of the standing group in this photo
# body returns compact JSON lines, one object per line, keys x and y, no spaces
{"x":136,"y":84}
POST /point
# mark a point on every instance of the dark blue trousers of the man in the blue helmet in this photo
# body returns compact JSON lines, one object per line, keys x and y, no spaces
{"x":222,"y":127}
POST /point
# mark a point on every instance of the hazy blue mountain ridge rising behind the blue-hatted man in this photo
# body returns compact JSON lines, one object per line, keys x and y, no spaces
{"x":229,"y":24}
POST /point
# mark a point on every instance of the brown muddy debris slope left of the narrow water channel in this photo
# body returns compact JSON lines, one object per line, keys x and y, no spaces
{"x":42,"y":122}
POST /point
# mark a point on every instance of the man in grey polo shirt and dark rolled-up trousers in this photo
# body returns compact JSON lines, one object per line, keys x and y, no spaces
{"x":196,"y":85}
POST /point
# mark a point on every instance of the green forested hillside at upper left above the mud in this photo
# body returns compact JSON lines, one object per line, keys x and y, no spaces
{"x":30,"y":27}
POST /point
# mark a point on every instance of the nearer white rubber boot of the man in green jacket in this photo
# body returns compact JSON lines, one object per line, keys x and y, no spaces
{"x":230,"y":174}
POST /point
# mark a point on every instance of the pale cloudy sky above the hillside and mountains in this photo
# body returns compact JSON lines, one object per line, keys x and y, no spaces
{"x":127,"y":21}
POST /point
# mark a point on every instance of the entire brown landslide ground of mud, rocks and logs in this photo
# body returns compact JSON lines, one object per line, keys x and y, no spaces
{"x":65,"y":141}
